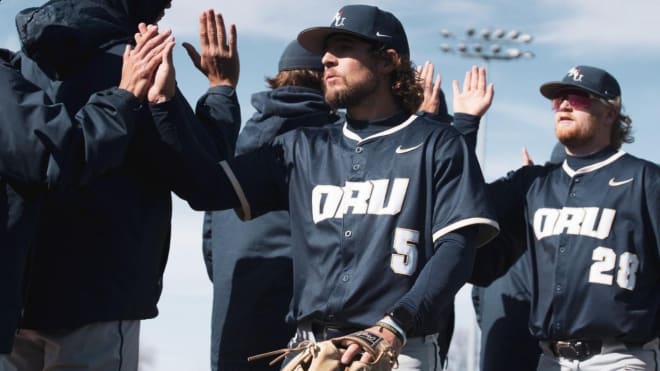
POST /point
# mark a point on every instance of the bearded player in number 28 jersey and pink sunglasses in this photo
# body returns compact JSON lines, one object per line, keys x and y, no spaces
{"x":592,"y":227}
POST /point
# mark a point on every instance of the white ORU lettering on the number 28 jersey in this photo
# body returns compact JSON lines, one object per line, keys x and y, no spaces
{"x":584,"y":221}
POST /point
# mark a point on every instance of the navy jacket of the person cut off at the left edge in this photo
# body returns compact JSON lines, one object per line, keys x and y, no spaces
{"x":42,"y":147}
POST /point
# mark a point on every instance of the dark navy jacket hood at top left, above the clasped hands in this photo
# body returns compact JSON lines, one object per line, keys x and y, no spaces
{"x":63,"y":34}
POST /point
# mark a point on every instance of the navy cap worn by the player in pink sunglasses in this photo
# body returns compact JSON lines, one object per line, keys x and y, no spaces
{"x":591,"y":79}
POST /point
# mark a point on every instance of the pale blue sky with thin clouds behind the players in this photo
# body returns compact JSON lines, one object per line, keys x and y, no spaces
{"x":619,"y":36}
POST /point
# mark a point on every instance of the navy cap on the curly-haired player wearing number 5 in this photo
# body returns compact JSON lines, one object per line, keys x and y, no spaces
{"x":365,"y":22}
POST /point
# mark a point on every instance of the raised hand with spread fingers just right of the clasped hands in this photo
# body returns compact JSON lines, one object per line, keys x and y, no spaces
{"x":219,"y":56}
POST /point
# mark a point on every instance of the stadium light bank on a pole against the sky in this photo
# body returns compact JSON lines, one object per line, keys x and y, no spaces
{"x":487,"y":45}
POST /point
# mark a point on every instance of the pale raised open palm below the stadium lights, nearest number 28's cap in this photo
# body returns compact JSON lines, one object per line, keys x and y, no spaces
{"x":477,"y":95}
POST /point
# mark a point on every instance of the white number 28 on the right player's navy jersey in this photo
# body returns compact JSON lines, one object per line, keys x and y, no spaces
{"x":605,"y":262}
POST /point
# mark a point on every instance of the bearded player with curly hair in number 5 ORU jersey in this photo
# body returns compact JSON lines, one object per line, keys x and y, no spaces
{"x":382,"y":232}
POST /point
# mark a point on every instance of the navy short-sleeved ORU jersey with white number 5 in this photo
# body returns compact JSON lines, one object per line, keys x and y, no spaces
{"x":365,"y":212}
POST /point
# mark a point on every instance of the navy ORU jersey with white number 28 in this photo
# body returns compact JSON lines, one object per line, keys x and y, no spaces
{"x":594,"y":233}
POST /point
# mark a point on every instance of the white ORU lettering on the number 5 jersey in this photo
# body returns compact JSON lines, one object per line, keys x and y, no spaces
{"x":375,"y":197}
